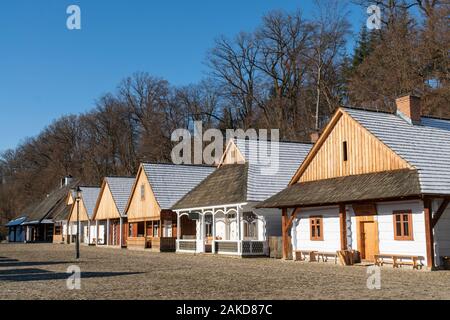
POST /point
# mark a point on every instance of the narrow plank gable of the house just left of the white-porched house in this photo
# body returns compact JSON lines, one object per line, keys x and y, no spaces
{"x":139,"y":209}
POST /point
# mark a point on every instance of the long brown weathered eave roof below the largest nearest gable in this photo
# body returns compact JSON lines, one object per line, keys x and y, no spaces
{"x":374,"y":186}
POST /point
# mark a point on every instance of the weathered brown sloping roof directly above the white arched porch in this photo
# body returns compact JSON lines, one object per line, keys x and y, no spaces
{"x":226,"y":185}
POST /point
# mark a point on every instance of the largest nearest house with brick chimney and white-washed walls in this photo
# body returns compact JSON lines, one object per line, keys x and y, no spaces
{"x":376,"y":185}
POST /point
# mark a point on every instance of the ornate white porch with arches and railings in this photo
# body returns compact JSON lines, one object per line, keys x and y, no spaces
{"x":226,"y":230}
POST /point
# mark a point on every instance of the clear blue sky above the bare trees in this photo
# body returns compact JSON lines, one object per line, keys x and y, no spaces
{"x":47,"y":71}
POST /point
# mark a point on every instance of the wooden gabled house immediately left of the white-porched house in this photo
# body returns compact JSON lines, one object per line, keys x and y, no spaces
{"x":152,"y":223}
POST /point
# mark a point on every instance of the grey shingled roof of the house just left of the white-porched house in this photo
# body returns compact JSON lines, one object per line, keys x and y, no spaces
{"x":170,"y":182}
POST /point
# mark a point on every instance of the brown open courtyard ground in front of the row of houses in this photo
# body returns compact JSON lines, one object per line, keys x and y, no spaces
{"x":39,"y":272}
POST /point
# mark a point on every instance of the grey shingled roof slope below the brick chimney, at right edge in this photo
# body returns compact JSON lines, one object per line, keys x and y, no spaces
{"x":425,"y":146}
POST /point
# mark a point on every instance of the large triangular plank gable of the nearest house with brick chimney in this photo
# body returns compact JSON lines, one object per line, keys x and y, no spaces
{"x":365,"y":153}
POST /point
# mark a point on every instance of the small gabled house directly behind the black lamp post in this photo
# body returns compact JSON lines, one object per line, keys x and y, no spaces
{"x":84,"y":209}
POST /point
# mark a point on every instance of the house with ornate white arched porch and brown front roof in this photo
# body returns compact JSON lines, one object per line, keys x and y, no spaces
{"x":223,"y":207}
